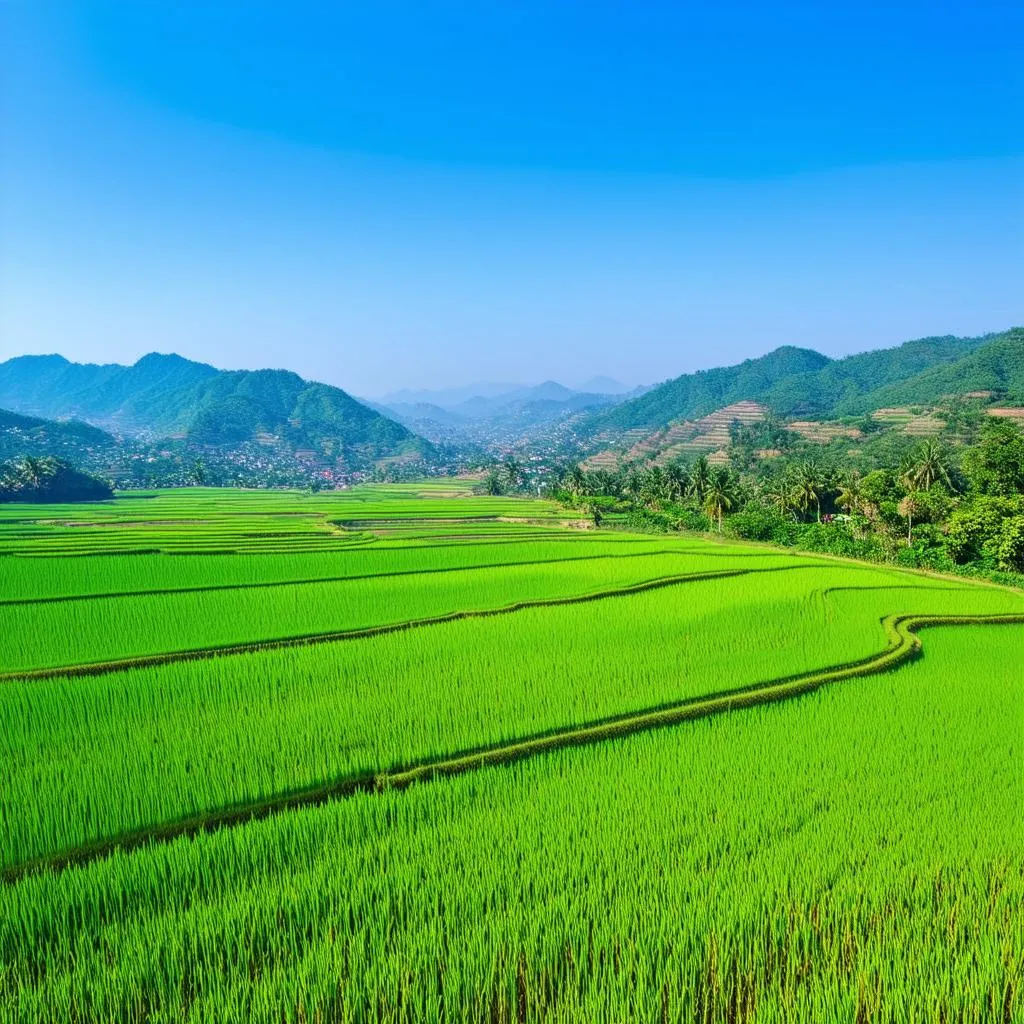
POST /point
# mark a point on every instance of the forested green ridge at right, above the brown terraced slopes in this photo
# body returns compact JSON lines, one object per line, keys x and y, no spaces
{"x":801,"y":382}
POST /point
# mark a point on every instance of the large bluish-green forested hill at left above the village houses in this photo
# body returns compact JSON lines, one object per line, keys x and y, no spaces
{"x":166,"y":396}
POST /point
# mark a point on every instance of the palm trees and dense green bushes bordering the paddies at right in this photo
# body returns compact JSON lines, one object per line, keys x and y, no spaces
{"x":923,"y":503}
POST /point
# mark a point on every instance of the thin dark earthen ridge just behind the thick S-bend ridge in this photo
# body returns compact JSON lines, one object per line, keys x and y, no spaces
{"x":334,"y":636}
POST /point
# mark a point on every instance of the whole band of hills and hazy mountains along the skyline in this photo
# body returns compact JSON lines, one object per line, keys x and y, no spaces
{"x":167,"y":397}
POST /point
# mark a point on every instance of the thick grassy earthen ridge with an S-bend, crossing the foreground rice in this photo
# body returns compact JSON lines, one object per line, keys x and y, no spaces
{"x":904,"y":645}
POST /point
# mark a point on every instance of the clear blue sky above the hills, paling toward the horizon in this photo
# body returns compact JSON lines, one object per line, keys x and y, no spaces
{"x":412,"y":195}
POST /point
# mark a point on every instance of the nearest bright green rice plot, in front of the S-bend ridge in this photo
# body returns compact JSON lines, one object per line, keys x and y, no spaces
{"x":855,"y":857}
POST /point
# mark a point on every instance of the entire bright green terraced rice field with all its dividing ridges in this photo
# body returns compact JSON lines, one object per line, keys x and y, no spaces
{"x":404,"y":754}
